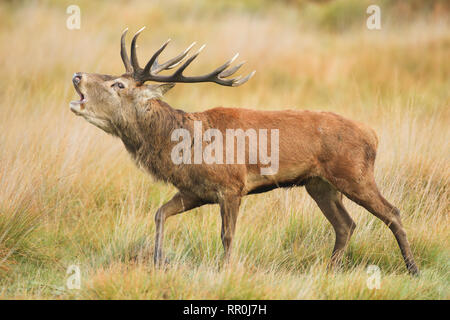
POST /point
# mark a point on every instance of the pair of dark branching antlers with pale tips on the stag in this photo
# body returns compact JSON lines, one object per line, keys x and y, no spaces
{"x":152,"y":68}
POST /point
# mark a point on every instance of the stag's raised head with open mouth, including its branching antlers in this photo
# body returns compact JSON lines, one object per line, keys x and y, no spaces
{"x":106,"y":100}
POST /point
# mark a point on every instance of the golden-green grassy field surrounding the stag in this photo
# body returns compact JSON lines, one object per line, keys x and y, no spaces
{"x":70,"y":195}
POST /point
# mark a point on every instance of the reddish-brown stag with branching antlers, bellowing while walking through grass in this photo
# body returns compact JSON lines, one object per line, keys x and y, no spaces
{"x":329,"y":155}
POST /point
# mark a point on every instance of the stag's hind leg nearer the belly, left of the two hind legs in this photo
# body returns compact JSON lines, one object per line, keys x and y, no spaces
{"x":330,"y":203}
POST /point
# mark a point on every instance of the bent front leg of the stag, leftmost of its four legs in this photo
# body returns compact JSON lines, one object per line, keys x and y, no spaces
{"x":178,"y":204}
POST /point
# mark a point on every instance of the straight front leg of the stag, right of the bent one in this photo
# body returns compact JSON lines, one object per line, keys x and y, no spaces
{"x":229,"y":210}
